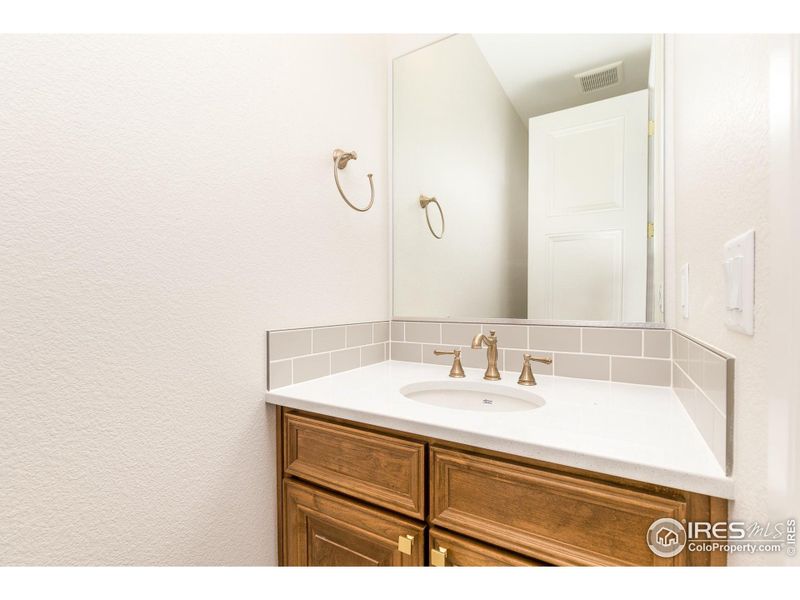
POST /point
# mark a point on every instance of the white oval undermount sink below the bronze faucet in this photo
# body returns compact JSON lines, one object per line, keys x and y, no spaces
{"x":472,"y":395}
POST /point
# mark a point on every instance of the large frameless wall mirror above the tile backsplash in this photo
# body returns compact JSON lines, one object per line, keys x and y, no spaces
{"x":528,"y":178}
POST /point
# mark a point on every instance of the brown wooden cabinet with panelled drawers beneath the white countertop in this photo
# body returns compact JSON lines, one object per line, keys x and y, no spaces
{"x":353,"y":494}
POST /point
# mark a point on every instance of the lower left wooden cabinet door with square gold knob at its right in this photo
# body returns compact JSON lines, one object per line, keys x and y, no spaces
{"x":326,"y":530}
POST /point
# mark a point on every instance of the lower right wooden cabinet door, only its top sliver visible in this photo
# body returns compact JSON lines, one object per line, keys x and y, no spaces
{"x":457,"y":551}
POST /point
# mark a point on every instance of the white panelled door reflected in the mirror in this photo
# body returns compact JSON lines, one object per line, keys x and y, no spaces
{"x":588,"y":212}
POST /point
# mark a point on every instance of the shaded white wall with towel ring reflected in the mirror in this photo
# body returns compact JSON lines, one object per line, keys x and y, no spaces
{"x":458,"y":137}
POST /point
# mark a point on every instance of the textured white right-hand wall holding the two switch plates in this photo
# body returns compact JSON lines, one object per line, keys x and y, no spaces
{"x":721,"y":137}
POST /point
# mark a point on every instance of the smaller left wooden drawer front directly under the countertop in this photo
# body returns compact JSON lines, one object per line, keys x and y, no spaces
{"x":384,"y":470}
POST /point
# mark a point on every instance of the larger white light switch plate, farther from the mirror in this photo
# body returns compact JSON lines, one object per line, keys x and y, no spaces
{"x":739,"y":266}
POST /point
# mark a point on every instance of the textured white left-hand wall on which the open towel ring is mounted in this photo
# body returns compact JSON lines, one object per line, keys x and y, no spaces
{"x":163,"y":201}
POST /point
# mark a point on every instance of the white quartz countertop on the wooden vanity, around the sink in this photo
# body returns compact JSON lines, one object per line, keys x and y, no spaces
{"x":635,"y":431}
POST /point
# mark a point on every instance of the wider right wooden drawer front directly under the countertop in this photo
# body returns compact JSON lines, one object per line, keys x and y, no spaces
{"x":556,"y":517}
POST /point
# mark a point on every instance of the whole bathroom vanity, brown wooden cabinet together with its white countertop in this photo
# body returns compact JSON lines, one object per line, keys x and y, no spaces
{"x":354,"y":491}
